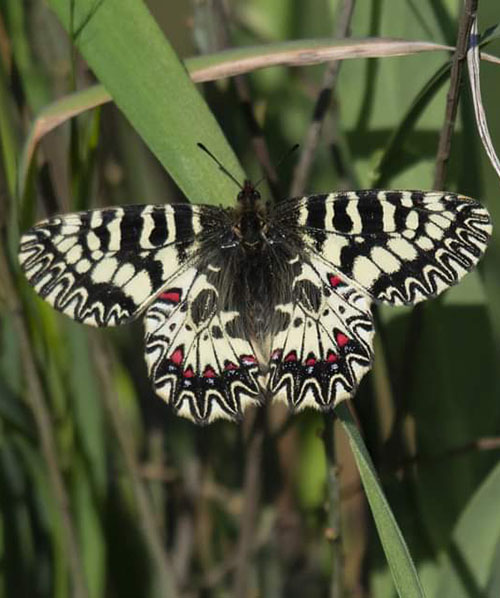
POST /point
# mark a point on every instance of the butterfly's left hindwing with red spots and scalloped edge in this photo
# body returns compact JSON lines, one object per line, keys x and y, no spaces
{"x":197,"y":356}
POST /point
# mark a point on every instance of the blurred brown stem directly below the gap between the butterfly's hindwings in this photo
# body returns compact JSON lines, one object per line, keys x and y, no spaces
{"x":251,"y":492}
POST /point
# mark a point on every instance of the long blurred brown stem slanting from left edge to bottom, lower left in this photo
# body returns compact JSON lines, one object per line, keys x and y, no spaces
{"x":35,"y":397}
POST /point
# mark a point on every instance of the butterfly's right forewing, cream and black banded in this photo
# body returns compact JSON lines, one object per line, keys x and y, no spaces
{"x":400,"y":247}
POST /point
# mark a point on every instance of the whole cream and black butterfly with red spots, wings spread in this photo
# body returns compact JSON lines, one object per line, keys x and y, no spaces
{"x":257,"y":300}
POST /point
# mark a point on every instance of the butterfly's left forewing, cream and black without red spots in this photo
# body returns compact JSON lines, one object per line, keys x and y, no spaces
{"x":103,"y":267}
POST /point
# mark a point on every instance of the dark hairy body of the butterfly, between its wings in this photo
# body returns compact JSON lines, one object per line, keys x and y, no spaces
{"x":249,"y":257}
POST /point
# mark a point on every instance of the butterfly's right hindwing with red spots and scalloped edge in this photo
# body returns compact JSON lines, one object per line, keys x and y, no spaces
{"x":322,"y":345}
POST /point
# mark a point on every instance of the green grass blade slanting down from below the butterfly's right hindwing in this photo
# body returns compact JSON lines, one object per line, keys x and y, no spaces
{"x":400,"y":562}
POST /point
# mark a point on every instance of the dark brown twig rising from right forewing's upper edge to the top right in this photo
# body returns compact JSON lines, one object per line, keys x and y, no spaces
{"x":443,"y":153}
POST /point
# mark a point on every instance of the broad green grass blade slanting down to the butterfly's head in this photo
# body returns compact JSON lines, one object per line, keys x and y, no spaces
{"x":129,"y":54}
